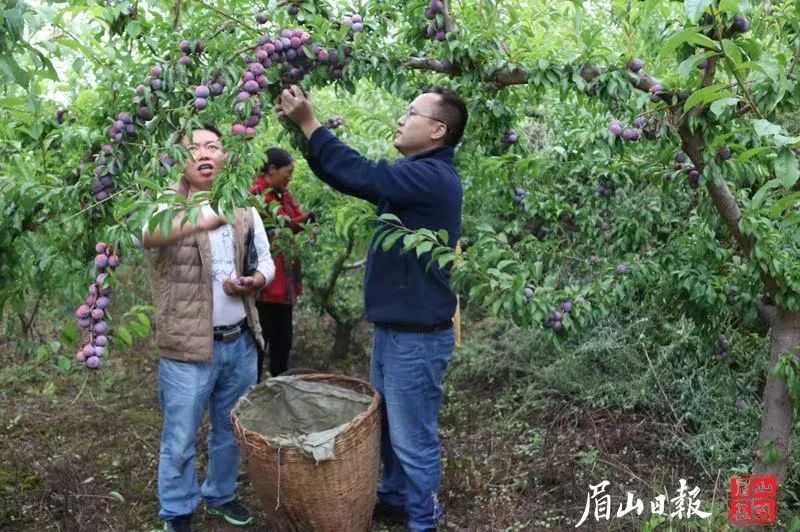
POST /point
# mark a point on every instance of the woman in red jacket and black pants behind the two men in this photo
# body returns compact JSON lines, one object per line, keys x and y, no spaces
{"x":276,"y":300}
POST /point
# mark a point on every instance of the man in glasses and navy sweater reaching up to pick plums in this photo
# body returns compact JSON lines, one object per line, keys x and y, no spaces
{"x":412,"y":309}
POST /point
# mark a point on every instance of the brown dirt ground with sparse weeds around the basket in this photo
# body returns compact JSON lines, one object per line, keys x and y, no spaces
{"x":79,"y":452}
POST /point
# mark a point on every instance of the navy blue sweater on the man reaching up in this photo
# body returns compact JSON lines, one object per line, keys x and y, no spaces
{"x":424,"y":191}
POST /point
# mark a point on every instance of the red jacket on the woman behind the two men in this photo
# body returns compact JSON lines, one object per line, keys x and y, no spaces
{"x":286,"y":286}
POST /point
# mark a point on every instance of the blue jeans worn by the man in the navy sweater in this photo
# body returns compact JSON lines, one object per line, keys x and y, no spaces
{"x":407,"y":369}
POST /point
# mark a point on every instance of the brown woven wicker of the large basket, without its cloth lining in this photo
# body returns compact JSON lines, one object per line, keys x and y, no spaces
{"x":336,"y":495}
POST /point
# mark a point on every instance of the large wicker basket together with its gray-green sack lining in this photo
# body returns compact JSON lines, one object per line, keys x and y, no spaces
{"x":334,"y":491}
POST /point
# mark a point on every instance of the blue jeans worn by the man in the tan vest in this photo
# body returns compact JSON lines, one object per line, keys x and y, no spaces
{"x":185,"y":389}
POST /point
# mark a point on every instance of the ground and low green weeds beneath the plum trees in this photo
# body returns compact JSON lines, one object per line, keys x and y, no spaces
{"x":640,"y":401}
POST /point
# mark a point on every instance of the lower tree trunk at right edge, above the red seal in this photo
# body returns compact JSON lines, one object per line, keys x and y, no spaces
{"x":776,"y":425}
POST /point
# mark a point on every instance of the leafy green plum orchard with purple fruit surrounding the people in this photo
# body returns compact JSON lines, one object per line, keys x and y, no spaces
{"x":620,"y":155}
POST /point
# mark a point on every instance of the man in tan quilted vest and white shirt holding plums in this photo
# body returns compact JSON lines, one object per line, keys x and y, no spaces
{"x":208,"y":336}
